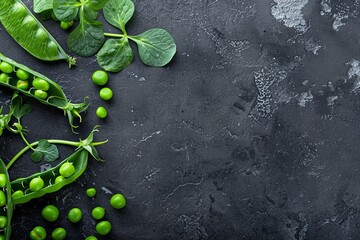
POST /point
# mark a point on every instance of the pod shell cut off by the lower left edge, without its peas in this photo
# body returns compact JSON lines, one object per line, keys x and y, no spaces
{"x":7,"y":209}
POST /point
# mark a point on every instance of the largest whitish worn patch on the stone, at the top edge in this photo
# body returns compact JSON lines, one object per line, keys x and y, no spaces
{"x":290,"y":13}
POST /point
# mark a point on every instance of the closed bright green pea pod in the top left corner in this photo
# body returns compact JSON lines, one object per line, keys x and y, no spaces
{"x":27,"y":31}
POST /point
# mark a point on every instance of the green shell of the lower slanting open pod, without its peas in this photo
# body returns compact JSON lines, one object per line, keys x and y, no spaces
{"x":79,"y":159}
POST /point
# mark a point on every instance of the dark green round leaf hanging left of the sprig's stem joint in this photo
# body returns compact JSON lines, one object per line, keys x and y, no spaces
{"x":87,"y":38}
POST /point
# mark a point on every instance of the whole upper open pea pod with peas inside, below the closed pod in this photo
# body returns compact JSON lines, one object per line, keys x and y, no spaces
{"x":51,"y":94}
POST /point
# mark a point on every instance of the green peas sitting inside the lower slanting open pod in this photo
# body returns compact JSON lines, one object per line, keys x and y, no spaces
{"x":37,"y":183}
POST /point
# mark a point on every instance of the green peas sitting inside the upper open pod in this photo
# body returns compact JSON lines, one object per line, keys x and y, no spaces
{"x":24,"y":81}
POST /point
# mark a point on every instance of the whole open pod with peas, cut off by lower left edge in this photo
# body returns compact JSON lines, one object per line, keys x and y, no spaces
{"x":6,"y":205}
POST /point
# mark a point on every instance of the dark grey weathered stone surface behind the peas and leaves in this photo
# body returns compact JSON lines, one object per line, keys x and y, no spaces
{"x":249,"y":133}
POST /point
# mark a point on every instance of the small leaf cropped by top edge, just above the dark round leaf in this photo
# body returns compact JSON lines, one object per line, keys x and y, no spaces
{"x":66,"y":10}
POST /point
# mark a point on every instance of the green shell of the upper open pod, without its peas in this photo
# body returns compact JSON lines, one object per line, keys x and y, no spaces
{"x":55,"y":95}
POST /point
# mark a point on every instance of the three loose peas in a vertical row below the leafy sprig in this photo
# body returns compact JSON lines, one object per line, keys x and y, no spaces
{"x":100,"y":78}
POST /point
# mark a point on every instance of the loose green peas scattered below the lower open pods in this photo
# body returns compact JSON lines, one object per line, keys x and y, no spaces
{"x":51,"y":213}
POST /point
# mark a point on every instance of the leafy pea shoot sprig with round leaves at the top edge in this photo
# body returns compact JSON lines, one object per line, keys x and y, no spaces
{"x":156,"y":46}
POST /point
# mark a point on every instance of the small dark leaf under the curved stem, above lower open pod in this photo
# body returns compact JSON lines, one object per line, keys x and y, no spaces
{"x":45,"y":151}
